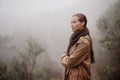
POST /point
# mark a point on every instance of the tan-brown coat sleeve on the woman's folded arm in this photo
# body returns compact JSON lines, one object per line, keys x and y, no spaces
{"x":78,"y":55}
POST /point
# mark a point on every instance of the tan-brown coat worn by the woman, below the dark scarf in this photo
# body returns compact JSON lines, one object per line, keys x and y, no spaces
{"x":78,"y":64}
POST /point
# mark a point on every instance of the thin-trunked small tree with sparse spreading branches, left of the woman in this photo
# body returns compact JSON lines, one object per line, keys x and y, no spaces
{"x":25,"y":66}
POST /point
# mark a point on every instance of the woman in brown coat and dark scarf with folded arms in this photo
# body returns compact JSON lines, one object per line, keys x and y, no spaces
{"x":79,"y":55}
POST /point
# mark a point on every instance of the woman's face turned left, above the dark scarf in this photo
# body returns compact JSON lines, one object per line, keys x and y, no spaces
{"x":76,"y":24}
